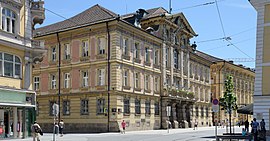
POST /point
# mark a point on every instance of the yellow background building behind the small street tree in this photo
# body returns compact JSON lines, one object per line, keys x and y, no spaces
{"x":243,"y":79}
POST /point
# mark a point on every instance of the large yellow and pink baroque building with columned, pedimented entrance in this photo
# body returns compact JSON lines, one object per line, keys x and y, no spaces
{"x":102,"y":68}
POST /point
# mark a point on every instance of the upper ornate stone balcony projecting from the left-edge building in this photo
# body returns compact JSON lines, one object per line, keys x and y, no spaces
{"x":38,"y":12}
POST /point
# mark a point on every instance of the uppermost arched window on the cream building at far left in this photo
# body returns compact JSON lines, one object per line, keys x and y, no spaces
{"x":8,"y":20}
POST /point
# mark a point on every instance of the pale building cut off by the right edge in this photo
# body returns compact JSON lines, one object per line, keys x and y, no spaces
{"x":262,"y":90}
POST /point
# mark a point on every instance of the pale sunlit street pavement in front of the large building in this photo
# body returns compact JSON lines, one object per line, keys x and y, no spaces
{"x":202,"y":134}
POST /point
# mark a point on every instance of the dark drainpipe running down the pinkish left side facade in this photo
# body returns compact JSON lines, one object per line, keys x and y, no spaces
{"x":59,"y":74}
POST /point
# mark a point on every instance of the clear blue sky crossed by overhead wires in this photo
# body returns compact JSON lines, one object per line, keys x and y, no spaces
{"x":233,"y":19}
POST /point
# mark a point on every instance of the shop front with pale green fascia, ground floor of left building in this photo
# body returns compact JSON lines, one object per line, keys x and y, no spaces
{"x":17,"y":113}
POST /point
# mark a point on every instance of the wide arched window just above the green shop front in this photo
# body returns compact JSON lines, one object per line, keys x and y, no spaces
{"x":10,"y":65}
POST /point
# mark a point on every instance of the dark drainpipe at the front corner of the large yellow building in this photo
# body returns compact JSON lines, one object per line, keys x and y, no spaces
{"x":109,"y":75}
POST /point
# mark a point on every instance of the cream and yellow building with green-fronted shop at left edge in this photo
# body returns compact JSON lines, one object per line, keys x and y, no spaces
{"x":17,"y":53}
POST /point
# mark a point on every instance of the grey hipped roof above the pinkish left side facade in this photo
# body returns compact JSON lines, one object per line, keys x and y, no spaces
{"x":94,"y":14}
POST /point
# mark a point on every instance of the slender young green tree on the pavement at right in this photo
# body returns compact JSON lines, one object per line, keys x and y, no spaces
{"x":228,"y":101}
